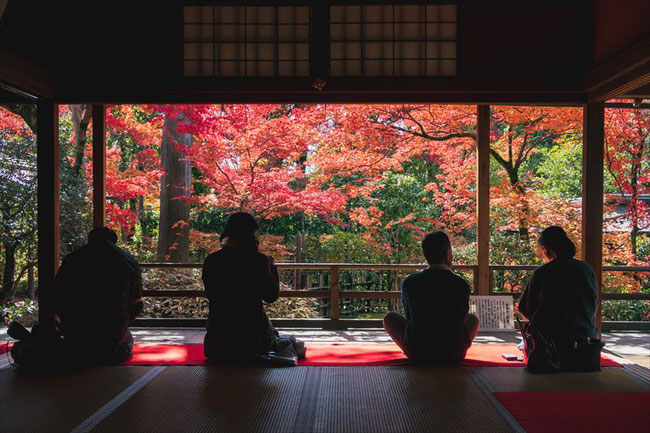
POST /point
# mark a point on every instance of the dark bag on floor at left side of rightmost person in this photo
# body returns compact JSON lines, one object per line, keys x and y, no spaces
{"x":540,"y":354}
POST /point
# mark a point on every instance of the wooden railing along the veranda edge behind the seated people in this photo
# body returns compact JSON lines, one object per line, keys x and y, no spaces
{"x":334,"y":292}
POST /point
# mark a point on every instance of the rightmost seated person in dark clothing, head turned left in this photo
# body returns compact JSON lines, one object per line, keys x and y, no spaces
{"x":560,"y":297}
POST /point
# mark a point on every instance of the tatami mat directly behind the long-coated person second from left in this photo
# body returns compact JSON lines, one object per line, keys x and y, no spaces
{"x":213,"y":399}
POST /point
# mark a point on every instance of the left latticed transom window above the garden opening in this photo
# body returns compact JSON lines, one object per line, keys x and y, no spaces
{"x":246,"y":41}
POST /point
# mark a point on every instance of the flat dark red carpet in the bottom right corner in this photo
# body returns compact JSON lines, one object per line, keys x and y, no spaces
{"x":570,"y":412}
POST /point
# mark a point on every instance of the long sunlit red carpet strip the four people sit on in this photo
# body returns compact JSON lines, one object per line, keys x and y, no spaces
{"x":336,"y":354}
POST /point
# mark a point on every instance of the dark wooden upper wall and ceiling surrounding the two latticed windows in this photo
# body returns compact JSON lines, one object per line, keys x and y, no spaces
{"x":542,"y":51}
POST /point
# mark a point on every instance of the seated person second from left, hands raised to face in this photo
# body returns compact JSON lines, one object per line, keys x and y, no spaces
{"x":237,"y":278}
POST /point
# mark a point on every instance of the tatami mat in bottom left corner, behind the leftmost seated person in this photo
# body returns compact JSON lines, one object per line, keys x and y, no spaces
{"x":31,"y":402}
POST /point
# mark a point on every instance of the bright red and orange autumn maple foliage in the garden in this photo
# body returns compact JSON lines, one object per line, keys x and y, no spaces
{"x":382,"y":174}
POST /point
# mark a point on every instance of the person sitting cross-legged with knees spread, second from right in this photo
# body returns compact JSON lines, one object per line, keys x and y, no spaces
{"x":437,"y":329}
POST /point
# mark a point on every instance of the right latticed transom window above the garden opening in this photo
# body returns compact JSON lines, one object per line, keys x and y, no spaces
{"x":393,"y":40}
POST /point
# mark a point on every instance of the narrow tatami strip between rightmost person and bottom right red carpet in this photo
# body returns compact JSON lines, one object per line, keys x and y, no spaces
{"x":503,"y":379}
